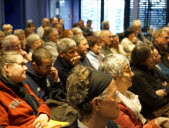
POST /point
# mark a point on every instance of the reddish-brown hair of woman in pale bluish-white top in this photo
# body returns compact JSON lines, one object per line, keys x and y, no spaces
{"x":92,"y":40}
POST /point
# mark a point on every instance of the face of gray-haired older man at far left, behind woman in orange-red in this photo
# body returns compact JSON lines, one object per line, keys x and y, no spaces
{"x":15,"y":44}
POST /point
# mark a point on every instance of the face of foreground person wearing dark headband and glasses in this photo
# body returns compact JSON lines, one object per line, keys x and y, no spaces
{"x":108,"y":107}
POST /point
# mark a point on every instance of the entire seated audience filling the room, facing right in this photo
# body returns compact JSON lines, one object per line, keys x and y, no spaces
{"x":90,"y":79}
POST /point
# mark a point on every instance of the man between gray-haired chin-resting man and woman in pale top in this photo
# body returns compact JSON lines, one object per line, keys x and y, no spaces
{"x":82,"y":49}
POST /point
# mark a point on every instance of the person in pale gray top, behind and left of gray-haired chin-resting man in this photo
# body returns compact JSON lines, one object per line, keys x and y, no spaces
{"x":51,"y":38}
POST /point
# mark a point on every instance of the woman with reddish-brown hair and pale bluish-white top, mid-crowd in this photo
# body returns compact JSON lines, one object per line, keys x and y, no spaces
{"x":94,"y":56}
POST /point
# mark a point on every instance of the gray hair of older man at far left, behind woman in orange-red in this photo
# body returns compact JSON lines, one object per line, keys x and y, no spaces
{"x":8,"y":39}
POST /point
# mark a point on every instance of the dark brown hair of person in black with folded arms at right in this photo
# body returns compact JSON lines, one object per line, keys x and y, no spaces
{"x":140,"y":54}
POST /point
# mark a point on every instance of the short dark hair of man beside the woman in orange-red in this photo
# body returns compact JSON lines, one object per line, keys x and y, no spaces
{"x":40,"y":53}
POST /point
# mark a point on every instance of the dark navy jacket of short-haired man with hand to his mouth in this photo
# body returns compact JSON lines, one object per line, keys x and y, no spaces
{"x":41,"y":86}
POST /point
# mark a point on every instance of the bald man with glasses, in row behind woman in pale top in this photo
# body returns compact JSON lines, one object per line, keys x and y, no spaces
{"x":107,"y":38}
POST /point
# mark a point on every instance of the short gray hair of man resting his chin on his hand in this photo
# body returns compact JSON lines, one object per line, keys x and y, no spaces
{"x":65,"y":44}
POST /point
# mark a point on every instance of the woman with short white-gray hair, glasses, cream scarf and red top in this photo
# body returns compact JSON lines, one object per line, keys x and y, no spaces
{"x":119,"y":67}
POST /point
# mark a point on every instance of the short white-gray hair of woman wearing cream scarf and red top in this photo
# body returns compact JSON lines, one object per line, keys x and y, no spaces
{"x":114,"y":64}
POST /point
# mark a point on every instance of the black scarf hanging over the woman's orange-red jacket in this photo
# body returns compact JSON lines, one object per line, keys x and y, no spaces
{"x":20,"y":90}
